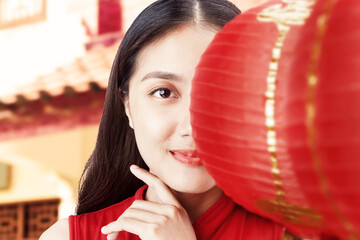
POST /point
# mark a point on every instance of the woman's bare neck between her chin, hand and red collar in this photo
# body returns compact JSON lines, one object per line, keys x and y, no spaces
{"x":195,"y":204}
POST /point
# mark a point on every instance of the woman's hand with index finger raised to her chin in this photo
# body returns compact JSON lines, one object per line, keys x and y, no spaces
{"x":150,"y":220}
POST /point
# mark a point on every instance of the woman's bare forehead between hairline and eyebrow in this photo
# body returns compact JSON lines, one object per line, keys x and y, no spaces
{"x":178,"y":51}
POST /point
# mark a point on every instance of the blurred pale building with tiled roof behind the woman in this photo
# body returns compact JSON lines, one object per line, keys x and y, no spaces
{"x":55,"y":60}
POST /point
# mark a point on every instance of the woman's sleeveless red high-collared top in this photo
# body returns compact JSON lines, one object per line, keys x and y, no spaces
{"x":224,"y":220}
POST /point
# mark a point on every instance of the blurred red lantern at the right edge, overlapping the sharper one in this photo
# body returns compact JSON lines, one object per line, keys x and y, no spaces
{"x":323,"y":114}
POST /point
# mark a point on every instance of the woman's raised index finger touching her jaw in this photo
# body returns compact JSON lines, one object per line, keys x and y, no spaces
{"x":163,"y":191}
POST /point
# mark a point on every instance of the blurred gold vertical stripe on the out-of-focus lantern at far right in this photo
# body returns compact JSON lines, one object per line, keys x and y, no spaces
{"x":312,"y":80}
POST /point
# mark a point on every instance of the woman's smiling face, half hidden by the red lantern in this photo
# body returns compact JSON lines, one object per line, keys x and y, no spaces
{"x":158,"y":108}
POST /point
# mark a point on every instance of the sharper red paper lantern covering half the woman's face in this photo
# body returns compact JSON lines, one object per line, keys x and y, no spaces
{"x":236,"y":94}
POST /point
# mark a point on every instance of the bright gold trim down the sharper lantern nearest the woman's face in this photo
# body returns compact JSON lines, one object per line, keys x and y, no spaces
{"x":294,"y":13}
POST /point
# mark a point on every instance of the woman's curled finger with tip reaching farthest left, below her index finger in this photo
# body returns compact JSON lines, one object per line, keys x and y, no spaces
{"x":124,"y":224}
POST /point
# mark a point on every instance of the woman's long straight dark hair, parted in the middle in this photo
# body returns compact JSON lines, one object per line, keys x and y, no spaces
{"x":107,"y":179}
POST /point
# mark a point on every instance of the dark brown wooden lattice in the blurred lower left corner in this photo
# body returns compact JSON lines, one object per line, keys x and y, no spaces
{"x":27,"y":220}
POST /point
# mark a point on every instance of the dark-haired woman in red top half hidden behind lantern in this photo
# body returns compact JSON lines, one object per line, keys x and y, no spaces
{"x":145,"y":136}
